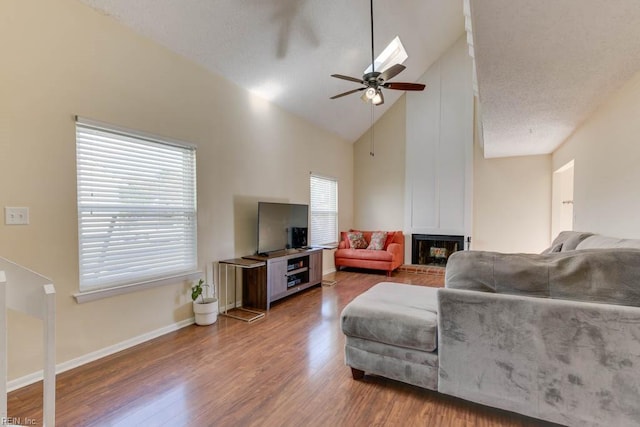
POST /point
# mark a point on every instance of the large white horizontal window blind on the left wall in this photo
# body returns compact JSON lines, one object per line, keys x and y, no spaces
{"x":136,"y":206}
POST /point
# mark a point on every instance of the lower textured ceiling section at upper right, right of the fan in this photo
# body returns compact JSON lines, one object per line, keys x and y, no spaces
{"x":543,"y":66}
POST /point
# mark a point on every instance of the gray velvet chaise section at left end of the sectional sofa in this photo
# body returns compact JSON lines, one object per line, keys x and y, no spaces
{"x":391,"y":331}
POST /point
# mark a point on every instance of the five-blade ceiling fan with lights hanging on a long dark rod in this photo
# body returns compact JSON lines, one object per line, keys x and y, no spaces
{"x":374,"y":81}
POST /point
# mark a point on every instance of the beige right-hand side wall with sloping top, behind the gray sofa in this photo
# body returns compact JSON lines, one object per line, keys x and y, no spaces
{"x":606,"y":150}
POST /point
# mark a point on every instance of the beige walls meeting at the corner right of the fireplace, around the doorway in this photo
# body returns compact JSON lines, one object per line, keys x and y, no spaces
{"x":511,"y":196}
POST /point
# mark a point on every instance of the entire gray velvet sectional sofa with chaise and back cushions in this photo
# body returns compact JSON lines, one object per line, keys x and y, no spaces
{"x":555,"y":336}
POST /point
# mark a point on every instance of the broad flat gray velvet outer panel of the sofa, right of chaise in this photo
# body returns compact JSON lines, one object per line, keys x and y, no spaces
{"x":564,"y":361}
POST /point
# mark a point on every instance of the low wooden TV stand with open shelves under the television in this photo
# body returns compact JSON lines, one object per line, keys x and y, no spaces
{"x":287,"y":272}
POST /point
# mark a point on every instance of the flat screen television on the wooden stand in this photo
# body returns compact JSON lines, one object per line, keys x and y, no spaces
{"x":282,"y":226}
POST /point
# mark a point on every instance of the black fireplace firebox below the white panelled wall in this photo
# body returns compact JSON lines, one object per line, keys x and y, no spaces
{"x":434,"y":249}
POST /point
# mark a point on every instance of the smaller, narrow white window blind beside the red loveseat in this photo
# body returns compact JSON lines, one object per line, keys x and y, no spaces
{"x":324,"y":210}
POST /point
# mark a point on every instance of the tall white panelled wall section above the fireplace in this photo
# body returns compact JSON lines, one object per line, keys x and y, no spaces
{"x":439,"y":147}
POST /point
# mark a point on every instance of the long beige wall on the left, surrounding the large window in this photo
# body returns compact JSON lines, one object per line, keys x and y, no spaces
{"x":61,"y":58}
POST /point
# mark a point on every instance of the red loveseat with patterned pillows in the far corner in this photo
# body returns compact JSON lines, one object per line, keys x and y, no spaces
{"x":388,"y":259}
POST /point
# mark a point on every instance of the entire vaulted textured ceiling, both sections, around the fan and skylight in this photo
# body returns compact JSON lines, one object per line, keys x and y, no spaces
{"x":542,"y":66}
